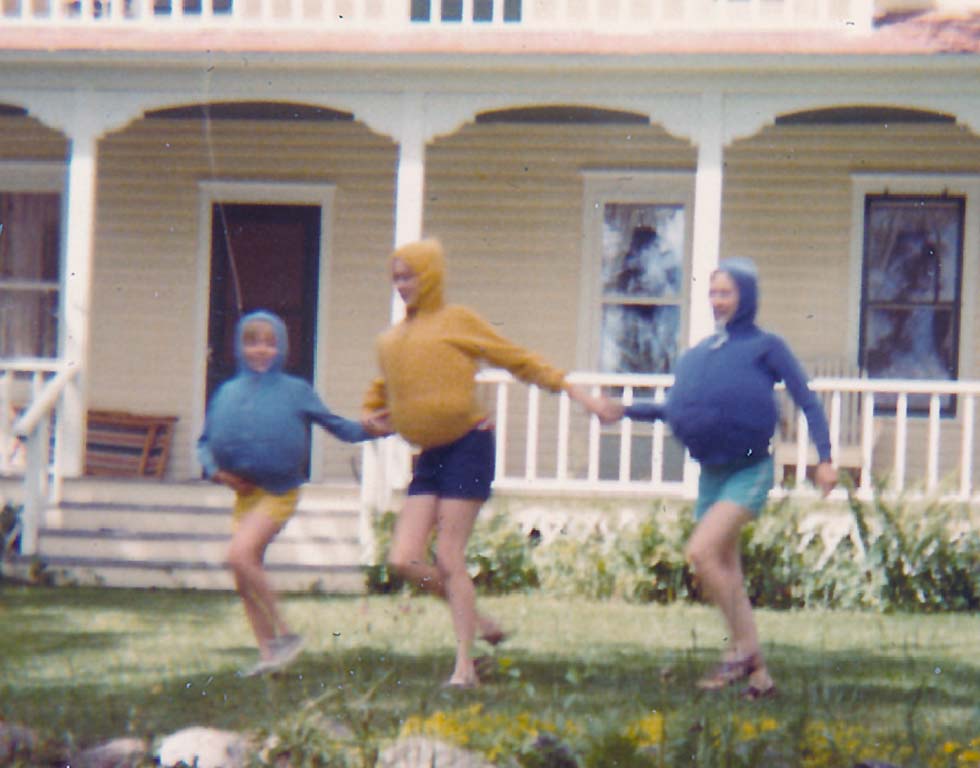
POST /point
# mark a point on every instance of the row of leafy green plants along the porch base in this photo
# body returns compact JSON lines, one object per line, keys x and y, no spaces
{"x":883,"y":554}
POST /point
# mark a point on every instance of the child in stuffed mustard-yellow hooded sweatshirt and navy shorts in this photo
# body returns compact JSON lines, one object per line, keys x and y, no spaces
{"x":427,"y":393}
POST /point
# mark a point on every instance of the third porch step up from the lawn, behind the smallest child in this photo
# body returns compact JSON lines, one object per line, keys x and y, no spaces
{"x":98,"y":516}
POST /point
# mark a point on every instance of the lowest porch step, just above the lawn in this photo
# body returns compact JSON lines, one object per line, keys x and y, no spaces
{"x":332,"y":579}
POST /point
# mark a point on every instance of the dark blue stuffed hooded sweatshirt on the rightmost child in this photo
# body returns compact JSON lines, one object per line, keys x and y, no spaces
{"x":722,"y":406}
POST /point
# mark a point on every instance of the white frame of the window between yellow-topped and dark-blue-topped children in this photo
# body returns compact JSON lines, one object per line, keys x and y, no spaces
{"x":631,"y":187}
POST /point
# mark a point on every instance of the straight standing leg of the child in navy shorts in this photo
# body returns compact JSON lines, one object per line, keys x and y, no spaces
{"x":455,"y":524}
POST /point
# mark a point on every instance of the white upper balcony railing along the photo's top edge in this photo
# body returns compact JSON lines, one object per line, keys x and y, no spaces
{"x":400,"y":16}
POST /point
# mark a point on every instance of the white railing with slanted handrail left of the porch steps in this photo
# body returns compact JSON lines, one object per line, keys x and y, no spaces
{"x":29,"y":393}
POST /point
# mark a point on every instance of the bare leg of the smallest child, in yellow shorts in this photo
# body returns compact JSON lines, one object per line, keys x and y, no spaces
{"x":245,"y":555}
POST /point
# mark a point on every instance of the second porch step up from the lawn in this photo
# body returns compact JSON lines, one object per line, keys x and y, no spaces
{"x":125,"y":546}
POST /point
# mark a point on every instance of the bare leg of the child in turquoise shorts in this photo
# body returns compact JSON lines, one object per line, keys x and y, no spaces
{"x":714,"y":553}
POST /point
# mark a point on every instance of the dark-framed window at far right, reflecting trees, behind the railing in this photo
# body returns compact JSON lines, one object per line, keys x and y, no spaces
{"x":911,"y":290}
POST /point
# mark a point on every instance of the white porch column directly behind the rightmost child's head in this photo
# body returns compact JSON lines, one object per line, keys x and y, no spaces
{"x":707,"y":214}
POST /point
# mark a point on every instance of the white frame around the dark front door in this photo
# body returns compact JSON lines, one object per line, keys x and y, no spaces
{"x":267,"y":193}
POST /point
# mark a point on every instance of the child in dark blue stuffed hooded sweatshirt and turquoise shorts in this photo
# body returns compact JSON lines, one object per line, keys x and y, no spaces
{"x":723,"y":409}
